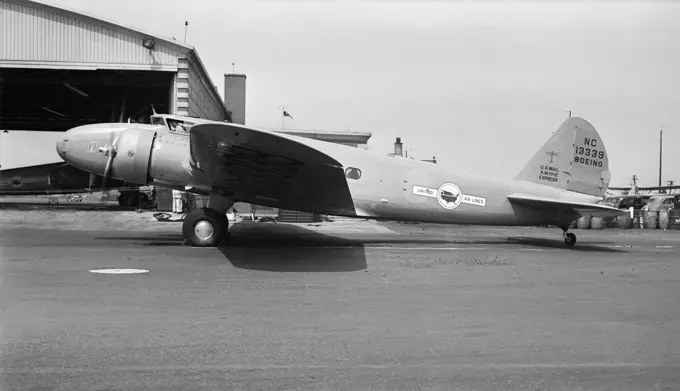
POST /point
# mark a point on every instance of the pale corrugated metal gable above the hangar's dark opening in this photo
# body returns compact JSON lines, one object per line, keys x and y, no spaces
{"x":43,"y":36}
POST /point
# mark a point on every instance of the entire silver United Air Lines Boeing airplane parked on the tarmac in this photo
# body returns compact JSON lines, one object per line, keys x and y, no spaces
{"x":231,"y":163}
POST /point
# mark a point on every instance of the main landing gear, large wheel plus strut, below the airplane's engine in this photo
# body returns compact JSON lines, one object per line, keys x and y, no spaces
{"x":208,"y":227}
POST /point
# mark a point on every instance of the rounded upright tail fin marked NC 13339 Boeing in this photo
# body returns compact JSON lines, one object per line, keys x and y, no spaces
{"x":574,"y":159}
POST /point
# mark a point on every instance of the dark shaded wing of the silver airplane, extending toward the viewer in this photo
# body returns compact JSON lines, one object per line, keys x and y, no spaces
{"x":270,"y":169}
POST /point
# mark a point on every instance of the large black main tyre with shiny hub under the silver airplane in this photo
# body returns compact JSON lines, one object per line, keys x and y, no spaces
{"x":205,"y":227}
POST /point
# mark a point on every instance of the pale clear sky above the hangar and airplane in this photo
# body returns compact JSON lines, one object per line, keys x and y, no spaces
{"x":479,"y":84}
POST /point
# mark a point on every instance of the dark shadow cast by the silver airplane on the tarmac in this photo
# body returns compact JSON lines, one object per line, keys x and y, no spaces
{"x":292,"y":248}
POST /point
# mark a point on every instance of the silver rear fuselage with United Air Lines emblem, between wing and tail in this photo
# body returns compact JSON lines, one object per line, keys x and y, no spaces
{"x":396,"y":188}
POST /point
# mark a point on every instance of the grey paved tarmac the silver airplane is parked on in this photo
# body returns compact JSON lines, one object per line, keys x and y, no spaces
{"x":338,"y":306}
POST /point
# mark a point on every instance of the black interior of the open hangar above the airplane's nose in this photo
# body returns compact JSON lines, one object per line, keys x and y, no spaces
{"x":57,"y":100}
